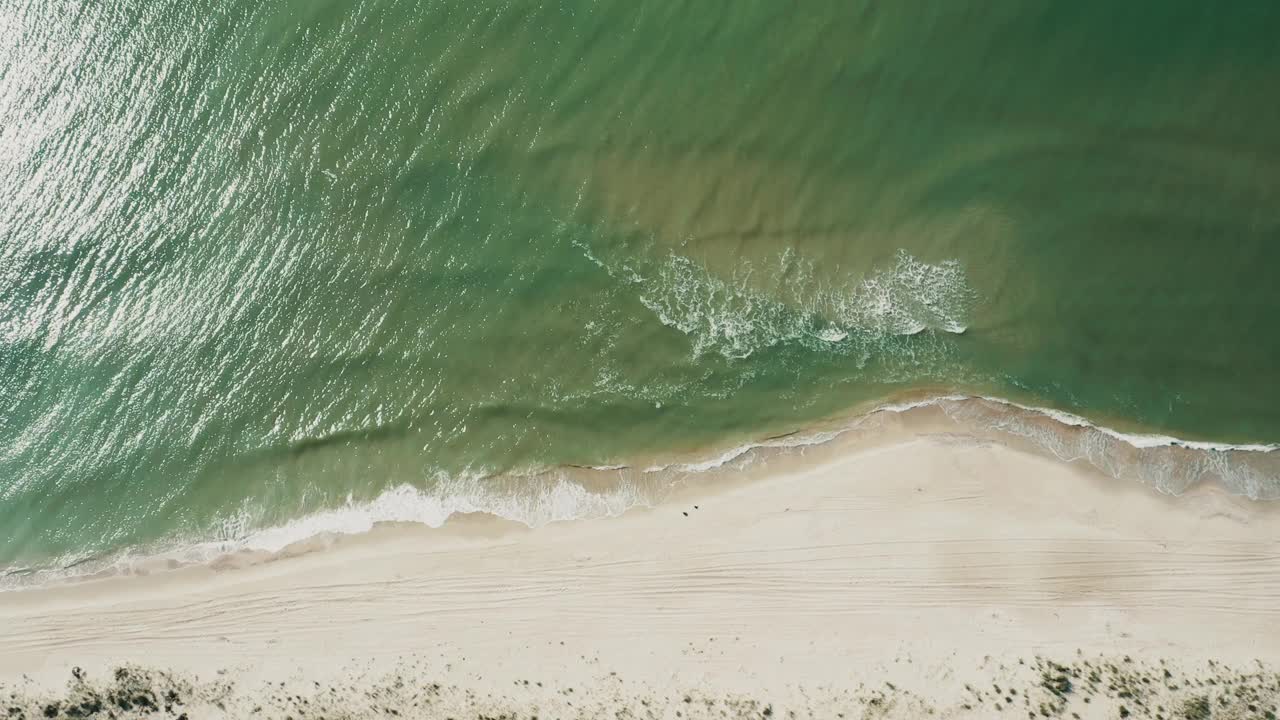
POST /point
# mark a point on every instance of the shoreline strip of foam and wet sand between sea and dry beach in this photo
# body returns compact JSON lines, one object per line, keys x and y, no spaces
{"x":614,"y":490}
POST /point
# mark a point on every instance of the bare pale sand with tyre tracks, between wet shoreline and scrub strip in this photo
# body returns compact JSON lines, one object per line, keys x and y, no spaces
{"x":903,"y":549}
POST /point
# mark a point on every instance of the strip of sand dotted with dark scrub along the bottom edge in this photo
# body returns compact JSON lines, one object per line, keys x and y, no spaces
{"x":1035,"y":689}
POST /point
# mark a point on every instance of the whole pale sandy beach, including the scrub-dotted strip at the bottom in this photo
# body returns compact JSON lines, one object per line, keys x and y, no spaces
{"x":934,"y":575}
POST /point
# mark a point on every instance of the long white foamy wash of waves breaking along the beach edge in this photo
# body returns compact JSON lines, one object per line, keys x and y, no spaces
{"x":1165,"y":463}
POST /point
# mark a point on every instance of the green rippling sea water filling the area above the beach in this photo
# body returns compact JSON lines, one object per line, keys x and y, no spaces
{"x":269,"y":259}
